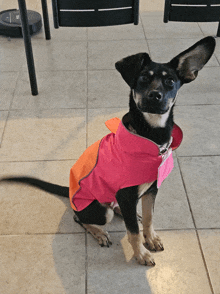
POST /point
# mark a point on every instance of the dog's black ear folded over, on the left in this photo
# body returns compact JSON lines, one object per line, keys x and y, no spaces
{"x":131,"y":66}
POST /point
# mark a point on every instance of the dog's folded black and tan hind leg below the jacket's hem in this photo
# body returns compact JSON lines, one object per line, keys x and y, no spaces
{"x":92,"y":217}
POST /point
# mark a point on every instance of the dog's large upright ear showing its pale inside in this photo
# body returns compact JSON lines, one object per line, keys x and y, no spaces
{"x":190,"y":61}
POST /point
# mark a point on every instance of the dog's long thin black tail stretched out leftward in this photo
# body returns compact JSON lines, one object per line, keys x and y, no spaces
{"x":45,"y":186}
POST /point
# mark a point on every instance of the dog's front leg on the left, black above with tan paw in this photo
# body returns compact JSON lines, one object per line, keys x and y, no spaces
{"x":127,"y":199}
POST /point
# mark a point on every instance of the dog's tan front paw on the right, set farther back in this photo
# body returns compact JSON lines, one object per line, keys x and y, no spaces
{"x":152,"y":240}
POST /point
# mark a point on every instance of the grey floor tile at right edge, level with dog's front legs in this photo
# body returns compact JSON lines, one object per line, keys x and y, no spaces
{"x":201,"y":177}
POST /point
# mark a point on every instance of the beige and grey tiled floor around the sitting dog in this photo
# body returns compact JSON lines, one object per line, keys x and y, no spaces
{"x":42,"y":250}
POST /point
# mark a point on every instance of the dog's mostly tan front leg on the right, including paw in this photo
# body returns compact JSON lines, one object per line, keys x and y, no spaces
{"x":152,"y":240}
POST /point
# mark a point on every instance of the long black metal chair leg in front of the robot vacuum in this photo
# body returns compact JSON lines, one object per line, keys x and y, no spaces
{"x":28,"y":47}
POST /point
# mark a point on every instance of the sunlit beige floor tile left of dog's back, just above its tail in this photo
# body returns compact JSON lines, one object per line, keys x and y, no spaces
{"x":44,"y":135}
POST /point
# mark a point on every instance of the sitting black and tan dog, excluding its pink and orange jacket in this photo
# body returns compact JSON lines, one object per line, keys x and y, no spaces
{"x":154,"y":88}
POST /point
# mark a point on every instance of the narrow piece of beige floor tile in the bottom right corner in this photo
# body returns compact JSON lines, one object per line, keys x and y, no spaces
{"x":210,"y":240}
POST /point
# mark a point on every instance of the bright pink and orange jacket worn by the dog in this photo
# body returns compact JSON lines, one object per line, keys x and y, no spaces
{"x":121,"y":159}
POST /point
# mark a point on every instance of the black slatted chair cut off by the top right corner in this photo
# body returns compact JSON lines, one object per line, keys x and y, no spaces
{"x":193,"y":11}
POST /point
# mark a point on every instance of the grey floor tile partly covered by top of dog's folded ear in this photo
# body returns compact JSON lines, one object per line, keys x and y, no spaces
{"x":104,"y":54}
